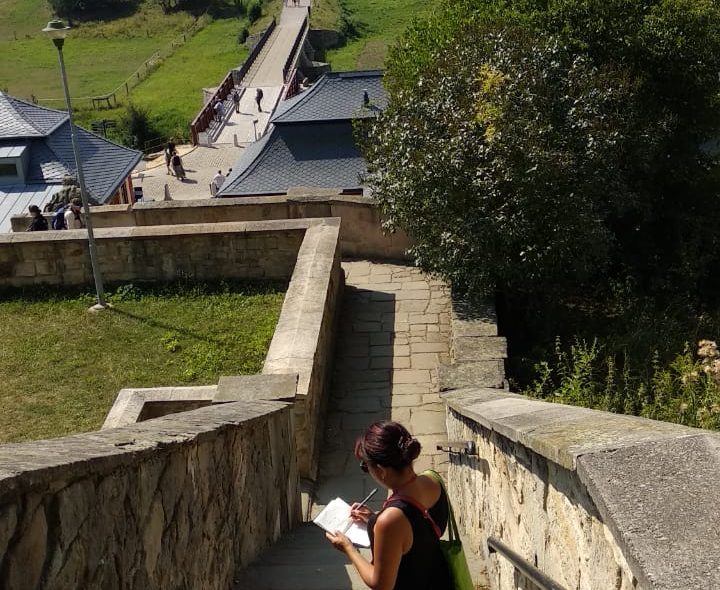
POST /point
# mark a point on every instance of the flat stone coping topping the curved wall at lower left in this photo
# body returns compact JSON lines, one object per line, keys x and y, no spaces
{"x":35,"y":465}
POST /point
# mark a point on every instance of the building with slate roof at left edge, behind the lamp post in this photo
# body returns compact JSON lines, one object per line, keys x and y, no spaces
{"x":36,"y":154}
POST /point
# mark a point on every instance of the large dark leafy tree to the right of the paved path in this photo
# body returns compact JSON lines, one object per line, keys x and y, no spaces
{"x":535,"y":149}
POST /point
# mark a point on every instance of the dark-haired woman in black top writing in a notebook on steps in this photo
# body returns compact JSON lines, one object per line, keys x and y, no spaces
{"x":404,"y":536}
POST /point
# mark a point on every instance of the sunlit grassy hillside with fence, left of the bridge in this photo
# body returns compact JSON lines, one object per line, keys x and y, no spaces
{"x":100,"y":56}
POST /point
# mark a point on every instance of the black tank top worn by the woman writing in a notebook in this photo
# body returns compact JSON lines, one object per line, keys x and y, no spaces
{"x":424,"y":566}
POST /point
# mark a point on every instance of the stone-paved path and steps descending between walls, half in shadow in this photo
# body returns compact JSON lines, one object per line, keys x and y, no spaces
{"x":393,"y":334}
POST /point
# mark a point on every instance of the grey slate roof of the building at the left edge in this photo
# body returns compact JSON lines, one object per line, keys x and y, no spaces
{"x":47,"y":134}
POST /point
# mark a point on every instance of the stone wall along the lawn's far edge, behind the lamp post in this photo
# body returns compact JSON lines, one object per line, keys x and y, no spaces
{"x":201,"y":251}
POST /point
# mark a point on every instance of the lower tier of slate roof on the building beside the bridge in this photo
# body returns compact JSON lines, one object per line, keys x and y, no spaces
{"x":321,"y":155}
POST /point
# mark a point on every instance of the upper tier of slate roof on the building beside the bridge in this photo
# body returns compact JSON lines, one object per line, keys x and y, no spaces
{"x":335,"y":96}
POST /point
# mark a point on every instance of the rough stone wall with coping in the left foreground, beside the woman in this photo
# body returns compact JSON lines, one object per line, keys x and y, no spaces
{"x":177,"y":502}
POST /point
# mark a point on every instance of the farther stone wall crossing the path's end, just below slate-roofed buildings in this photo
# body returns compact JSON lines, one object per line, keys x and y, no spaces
{"x":361,"y":233}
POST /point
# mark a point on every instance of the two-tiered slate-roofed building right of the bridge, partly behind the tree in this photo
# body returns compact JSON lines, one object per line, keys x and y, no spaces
{"x":310,"y":143}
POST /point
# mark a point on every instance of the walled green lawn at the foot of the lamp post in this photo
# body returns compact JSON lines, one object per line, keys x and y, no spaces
{"x":62,"y":366}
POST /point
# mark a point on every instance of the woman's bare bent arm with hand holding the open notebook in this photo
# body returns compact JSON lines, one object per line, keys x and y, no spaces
{"x":393,"y":537}
